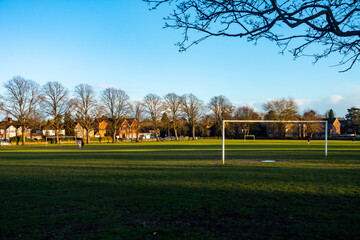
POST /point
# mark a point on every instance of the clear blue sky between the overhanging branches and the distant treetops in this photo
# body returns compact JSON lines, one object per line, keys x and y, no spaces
{"x":122,"y":44}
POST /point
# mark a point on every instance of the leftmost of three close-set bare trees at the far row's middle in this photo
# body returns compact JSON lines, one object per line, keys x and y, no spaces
{"x":154,"y":107}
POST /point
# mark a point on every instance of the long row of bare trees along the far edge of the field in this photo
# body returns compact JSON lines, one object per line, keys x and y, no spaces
{"x":30,"y":103}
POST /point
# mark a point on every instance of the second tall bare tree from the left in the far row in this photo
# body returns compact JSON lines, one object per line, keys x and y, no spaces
{"x":55,"y":104}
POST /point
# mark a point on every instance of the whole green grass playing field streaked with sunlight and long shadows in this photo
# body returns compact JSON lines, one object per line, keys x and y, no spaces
{"x":180,"y":190}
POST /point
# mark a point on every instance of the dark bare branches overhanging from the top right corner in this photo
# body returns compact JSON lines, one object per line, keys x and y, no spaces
{"x":324,"y":27}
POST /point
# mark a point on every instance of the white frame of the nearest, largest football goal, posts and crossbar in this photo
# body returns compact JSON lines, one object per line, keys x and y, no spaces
{"x":271,"y":121}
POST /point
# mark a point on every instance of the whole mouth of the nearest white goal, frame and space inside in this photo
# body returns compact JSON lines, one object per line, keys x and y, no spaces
{"x":281,"y":140}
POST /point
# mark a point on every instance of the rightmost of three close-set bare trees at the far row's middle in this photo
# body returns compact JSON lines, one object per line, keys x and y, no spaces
{"x":193,"y":109}
